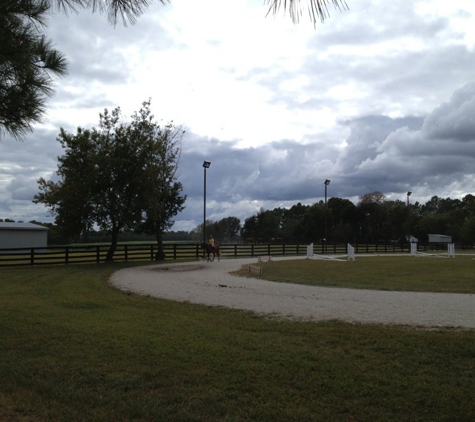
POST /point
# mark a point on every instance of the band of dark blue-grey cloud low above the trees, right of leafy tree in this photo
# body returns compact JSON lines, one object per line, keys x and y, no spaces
{"x":381,"y":154}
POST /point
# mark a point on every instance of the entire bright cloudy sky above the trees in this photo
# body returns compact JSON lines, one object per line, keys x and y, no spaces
{"x":379,"y":97}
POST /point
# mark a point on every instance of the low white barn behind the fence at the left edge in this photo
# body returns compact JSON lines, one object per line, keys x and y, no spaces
{"x":23,"y":235}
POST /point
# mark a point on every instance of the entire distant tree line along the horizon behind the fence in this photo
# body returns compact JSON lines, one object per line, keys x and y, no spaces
{"x":373,"y":219}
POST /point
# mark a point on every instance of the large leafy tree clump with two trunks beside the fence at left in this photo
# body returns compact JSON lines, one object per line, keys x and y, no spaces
{"x":118,"y":176}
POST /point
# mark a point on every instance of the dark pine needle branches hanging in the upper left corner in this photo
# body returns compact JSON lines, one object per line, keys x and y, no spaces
{"x":27,"y":63}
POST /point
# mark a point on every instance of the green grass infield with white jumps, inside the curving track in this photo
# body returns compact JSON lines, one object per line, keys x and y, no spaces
{"x":380,"y":272}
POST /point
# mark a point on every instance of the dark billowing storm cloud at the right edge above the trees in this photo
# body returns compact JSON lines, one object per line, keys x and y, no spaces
{"x":440,"y":153}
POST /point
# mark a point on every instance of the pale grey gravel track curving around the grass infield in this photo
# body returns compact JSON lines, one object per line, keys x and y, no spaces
{"x":212,"y":284}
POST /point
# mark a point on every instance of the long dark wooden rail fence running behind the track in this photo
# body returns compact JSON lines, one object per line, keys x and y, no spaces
{"x":63,"y":255}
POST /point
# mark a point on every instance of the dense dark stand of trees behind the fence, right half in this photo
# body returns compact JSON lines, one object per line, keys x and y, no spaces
{"x":373,"y":219}
